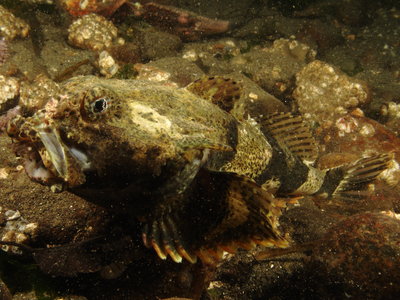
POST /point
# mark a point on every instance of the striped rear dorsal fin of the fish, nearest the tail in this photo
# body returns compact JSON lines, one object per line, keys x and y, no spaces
{"x":294,"y":133}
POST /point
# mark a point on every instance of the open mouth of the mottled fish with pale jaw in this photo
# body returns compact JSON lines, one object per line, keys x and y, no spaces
{"x":53,"y":159}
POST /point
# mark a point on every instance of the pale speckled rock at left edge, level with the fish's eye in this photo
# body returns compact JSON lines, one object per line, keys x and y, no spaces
{"x":9,"y":92}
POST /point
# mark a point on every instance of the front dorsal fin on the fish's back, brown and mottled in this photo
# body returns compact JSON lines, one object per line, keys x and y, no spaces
{"x":219,"y":90}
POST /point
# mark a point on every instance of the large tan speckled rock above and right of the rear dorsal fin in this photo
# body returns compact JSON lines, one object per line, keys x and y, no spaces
{"x":322,"y":91}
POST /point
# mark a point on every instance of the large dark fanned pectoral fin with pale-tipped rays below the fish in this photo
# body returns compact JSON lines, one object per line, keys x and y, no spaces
{"x":222,"y":212}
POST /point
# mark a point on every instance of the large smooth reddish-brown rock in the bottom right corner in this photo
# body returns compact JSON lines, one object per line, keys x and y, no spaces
{"x":363,"y":252}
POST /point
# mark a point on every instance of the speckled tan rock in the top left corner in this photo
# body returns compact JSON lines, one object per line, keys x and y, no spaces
{"x":11,"y":26}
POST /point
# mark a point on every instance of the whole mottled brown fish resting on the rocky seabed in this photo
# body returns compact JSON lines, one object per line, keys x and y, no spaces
{"x":199,"y":180}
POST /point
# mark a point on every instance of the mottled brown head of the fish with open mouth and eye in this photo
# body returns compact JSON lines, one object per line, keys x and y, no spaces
{"x":90,"y":133}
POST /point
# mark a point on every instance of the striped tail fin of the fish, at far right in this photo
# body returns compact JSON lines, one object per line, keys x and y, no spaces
{"x":350,"y":182}
